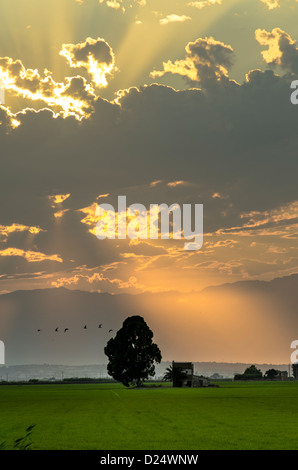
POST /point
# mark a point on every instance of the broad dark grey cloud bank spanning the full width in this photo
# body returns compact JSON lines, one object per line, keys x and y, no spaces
{"x":154,"y":132}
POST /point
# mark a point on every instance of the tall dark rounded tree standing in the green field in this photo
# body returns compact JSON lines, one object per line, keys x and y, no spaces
{"x":132,"y":353}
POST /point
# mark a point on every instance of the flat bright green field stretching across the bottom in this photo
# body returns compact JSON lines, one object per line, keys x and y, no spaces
{"x":110,"y":417}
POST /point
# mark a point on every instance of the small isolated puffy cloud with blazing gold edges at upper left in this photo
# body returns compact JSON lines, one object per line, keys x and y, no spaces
{"x":93,"y":55}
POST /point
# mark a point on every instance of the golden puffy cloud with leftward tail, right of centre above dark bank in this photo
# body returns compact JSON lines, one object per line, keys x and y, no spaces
{"x":207,"y":61}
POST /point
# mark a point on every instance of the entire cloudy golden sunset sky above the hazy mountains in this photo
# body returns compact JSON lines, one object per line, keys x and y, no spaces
{"x":176,"y":102}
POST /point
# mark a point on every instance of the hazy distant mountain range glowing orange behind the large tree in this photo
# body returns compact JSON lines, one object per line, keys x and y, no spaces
{"x":245,"y":322}
